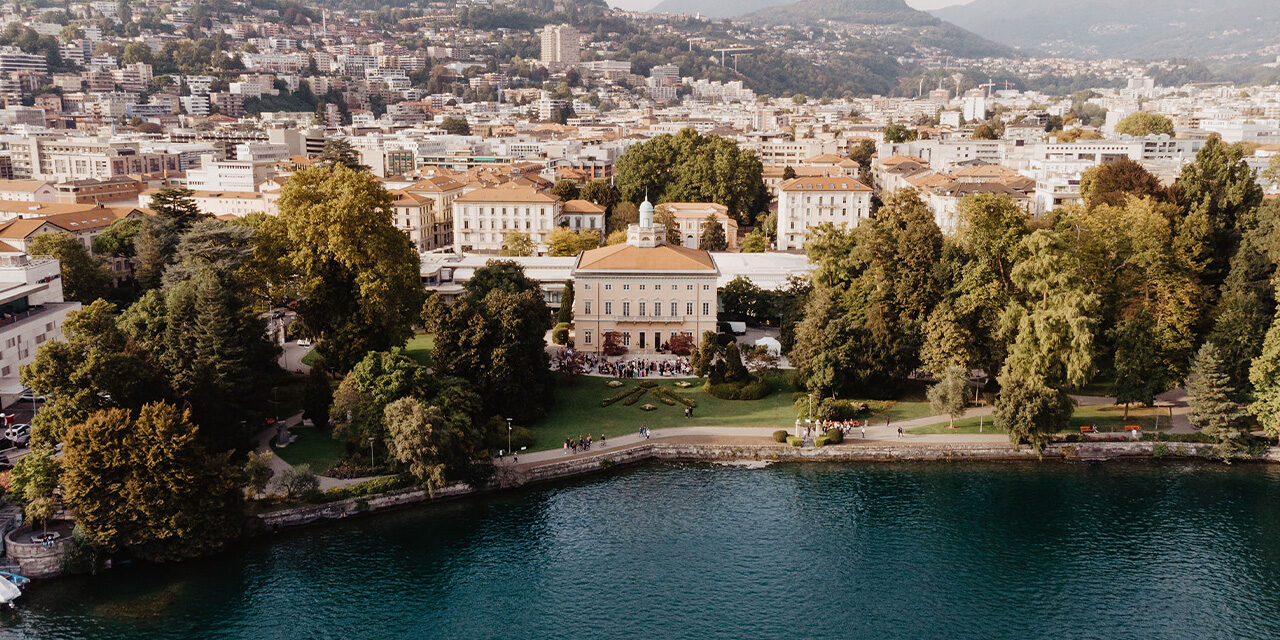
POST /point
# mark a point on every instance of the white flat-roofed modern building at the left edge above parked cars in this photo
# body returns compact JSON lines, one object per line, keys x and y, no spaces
{"x":33,"y":312}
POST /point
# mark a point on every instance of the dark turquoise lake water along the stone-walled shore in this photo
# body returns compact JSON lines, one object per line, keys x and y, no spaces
{"x":962,"y":551}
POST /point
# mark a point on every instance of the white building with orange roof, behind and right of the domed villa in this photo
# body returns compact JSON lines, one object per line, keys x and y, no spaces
{"x":806,"y":203}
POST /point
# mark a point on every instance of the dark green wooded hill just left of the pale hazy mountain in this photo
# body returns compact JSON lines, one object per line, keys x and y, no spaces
{"x":906,"y":25}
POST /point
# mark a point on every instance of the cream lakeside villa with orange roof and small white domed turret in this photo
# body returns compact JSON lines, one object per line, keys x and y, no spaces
{"x":642,"y":294}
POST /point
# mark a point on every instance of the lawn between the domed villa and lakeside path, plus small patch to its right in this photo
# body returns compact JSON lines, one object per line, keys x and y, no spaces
{"x":578,"y":410}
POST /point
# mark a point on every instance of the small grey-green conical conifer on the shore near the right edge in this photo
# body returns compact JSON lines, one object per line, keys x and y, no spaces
{"x":1215,"y":405}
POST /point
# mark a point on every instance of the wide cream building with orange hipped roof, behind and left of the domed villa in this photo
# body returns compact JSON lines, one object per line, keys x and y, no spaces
{"x":484,"y":217}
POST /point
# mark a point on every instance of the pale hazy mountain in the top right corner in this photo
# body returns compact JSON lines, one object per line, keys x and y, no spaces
{"x":1124,"y":29}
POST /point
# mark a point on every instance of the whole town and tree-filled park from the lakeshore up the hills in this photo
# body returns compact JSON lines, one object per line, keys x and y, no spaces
{"x":305,"y":257}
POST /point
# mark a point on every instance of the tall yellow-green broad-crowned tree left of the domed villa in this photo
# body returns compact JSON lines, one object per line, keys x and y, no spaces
{"x":358,"y":273}
